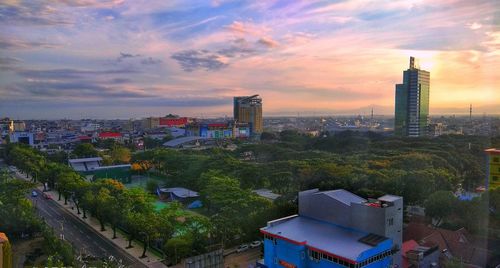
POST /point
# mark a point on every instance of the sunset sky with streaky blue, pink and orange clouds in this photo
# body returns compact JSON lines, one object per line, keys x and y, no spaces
{"x":138,"y":58}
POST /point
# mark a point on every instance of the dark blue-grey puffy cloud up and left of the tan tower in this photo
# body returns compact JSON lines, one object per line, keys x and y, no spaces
{"x":191,"y":60}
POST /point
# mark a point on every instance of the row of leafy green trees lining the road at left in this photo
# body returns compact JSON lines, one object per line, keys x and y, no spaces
{"x":112,"y":204}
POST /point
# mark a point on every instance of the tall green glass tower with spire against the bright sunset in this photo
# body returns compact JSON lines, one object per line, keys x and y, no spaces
{"x":412,"y":102}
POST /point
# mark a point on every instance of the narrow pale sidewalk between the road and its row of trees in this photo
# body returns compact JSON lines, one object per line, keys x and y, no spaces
{"x":121,"y":241}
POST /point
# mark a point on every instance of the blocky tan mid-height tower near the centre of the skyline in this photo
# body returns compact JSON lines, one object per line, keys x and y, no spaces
{"x":248,"y":109}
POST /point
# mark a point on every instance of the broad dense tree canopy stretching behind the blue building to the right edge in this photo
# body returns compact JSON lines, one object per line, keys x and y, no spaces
{"x":367,"y":164}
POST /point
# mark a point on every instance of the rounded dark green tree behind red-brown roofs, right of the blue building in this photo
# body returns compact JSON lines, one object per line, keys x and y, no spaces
{"x":440,"y":204}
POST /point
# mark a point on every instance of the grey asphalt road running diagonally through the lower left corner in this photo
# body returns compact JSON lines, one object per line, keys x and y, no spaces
{"x":83,"y":238}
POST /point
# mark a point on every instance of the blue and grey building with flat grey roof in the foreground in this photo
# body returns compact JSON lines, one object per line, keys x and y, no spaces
{"x":336,"y":229}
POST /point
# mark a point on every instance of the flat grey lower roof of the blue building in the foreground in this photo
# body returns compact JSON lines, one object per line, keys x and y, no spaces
{"x":330,"y":238}
